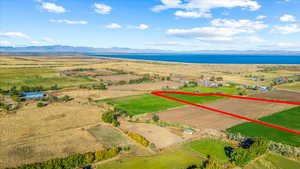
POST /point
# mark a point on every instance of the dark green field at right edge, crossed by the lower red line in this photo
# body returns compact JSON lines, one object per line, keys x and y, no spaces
{"x":289,"y":118}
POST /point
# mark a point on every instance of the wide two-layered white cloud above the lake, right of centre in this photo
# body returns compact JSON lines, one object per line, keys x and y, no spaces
{"x":223,"y":31}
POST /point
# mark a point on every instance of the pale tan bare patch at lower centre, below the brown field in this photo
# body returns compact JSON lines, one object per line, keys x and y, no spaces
{"x":160,"y":136}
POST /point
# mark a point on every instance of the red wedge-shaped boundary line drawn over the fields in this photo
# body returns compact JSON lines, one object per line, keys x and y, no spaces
{"x":159,"y":93}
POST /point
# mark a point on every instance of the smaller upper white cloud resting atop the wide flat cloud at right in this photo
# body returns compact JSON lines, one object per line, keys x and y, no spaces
{"x":249,"y":25}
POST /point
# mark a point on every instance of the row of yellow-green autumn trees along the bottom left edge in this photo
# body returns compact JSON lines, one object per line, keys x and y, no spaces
{"x":74,"y":161}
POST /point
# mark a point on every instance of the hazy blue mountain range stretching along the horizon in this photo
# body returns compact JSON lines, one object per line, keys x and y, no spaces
{"x":60,"y":49}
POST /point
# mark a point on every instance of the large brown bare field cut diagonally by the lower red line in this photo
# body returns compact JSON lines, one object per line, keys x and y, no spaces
{"x":202,"y":118}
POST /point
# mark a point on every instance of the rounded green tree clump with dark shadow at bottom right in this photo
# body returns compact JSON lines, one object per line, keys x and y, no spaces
{"x":248,"y":150}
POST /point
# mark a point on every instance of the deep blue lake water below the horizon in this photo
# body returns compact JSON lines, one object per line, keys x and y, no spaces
{"x":213,"y":58}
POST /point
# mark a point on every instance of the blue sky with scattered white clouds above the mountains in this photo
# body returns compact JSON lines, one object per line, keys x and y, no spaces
{"x":153,"y":24}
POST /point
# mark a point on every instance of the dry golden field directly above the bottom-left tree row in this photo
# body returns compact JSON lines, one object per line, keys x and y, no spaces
{"x":45,"y":147}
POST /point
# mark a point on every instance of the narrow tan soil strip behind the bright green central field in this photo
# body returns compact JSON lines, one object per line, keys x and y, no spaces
{"x":147,"y":86}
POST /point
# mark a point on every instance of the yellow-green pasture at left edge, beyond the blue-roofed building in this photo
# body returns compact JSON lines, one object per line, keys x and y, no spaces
{"x":36,"y":77}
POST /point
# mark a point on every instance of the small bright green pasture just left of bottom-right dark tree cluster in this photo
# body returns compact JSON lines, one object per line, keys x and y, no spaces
{"x":212,"y":147}
